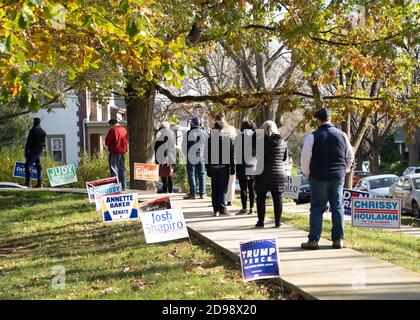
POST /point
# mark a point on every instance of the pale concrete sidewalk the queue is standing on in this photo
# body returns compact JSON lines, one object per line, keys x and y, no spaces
{"x":320,"y":274}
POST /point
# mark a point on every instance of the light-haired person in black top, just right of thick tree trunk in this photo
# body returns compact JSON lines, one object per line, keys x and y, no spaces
{"x":165,"y":169}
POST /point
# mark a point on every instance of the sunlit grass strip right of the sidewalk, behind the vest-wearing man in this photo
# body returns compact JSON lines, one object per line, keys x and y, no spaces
{"x":399,"y":249}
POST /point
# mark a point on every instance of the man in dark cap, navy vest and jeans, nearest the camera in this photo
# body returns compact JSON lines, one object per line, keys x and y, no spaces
{"x":326,"y":157}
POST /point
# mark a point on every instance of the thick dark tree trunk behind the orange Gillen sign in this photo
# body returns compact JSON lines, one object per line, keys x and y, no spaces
{"x":141,"y":132}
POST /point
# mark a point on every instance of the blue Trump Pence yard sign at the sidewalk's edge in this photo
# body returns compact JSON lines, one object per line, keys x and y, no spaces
{"x":259,"y":259}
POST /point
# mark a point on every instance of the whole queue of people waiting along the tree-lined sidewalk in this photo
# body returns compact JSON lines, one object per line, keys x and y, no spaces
{"x":326,"y":157}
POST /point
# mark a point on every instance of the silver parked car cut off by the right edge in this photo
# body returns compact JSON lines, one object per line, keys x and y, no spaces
{"x":407,"y":188}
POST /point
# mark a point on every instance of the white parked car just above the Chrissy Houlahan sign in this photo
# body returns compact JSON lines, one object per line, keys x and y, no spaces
{"x":378,"y":185}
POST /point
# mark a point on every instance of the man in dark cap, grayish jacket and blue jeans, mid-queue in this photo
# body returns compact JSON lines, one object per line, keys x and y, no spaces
{"x":196,"y":137}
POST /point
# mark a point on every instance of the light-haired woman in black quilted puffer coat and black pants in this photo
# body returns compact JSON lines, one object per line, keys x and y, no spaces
{"x":273,"y":178}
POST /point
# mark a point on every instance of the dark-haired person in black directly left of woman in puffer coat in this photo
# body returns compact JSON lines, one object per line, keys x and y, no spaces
{"x":246,"y":182}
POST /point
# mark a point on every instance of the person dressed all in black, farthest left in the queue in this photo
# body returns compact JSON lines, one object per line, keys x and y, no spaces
{"x":35,"y":145}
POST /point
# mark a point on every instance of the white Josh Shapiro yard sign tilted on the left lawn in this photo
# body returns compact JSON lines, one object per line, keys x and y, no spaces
{"x":164,"y":225}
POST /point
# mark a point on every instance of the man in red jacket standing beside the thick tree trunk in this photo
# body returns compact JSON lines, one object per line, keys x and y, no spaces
{"x":117,"y":143}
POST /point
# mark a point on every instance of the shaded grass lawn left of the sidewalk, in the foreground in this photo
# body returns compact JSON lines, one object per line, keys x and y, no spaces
{"x":40,"y":230}
